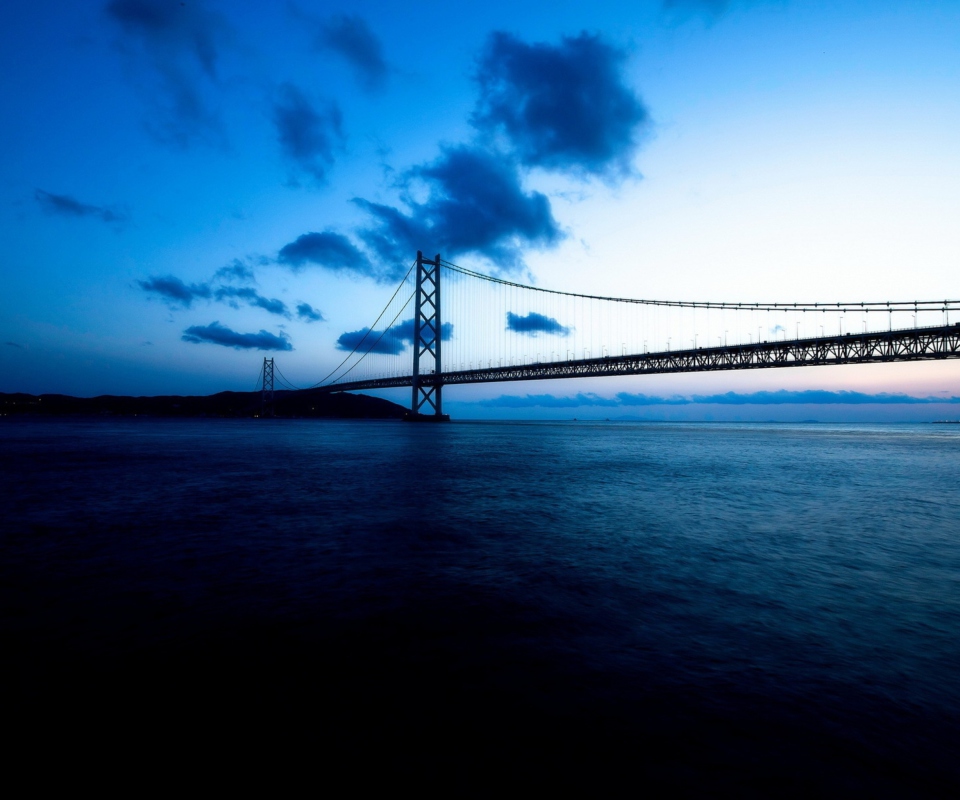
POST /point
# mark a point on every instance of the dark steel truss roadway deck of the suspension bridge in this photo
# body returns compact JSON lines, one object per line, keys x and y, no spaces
{"x":911,"y":344}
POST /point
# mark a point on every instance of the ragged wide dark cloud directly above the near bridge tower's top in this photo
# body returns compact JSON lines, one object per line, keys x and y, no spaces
{"x":475,"y":204}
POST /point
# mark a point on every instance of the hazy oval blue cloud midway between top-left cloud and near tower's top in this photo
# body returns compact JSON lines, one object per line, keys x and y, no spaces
{"x":309,"y":135}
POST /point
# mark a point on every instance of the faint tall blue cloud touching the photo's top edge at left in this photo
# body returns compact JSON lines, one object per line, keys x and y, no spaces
{"x":180,"y":42}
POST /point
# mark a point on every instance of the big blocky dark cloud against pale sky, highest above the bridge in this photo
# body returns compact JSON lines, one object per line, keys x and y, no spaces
{"x":560,"y":106}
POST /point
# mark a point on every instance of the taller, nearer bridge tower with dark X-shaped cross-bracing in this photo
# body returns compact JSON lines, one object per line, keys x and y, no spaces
{"x":427,"y":400}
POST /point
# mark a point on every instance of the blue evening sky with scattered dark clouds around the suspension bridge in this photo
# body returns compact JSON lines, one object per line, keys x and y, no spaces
{"x":189,"y":186}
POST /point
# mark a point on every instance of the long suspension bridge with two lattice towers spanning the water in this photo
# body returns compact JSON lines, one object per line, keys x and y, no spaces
{"x":490,"y":330}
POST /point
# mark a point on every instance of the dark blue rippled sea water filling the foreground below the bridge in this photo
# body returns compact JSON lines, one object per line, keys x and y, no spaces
{"x":758,"y":609}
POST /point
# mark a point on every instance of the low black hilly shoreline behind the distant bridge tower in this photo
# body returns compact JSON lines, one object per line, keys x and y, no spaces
{"x":300,"y":404}
